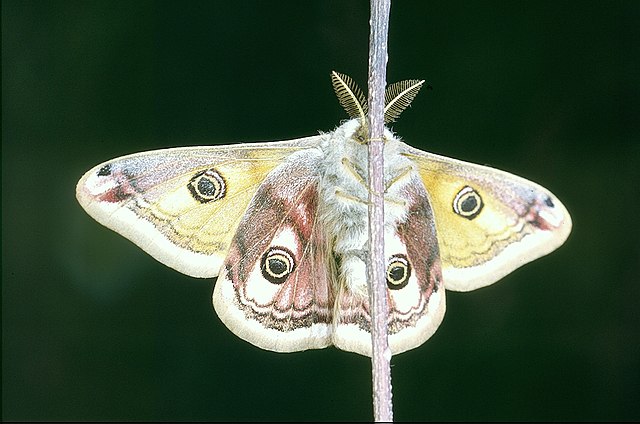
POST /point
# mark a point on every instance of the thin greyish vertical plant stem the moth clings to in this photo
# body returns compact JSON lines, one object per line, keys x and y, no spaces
{"x":381,"y":354}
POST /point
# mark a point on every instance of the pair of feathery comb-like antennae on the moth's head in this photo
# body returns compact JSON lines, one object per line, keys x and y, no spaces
{"x":397,"y":97}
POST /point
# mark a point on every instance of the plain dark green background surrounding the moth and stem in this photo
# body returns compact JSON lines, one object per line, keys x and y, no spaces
{"x":95,"y":329}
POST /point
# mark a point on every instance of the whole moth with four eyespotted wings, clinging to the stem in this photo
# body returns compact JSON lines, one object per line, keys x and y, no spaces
{"x":283,"y":227}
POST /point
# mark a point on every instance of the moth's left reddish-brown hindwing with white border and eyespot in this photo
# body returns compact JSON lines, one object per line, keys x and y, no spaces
{"x":274,"y":287}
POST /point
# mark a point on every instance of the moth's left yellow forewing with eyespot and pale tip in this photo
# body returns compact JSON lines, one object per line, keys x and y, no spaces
{"x":182,"y":205}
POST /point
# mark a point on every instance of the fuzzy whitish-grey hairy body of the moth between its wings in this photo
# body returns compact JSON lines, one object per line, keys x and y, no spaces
{"x":344,"y":197}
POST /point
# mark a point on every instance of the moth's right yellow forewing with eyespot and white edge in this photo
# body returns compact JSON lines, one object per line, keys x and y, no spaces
{"x":489,"y":222}
